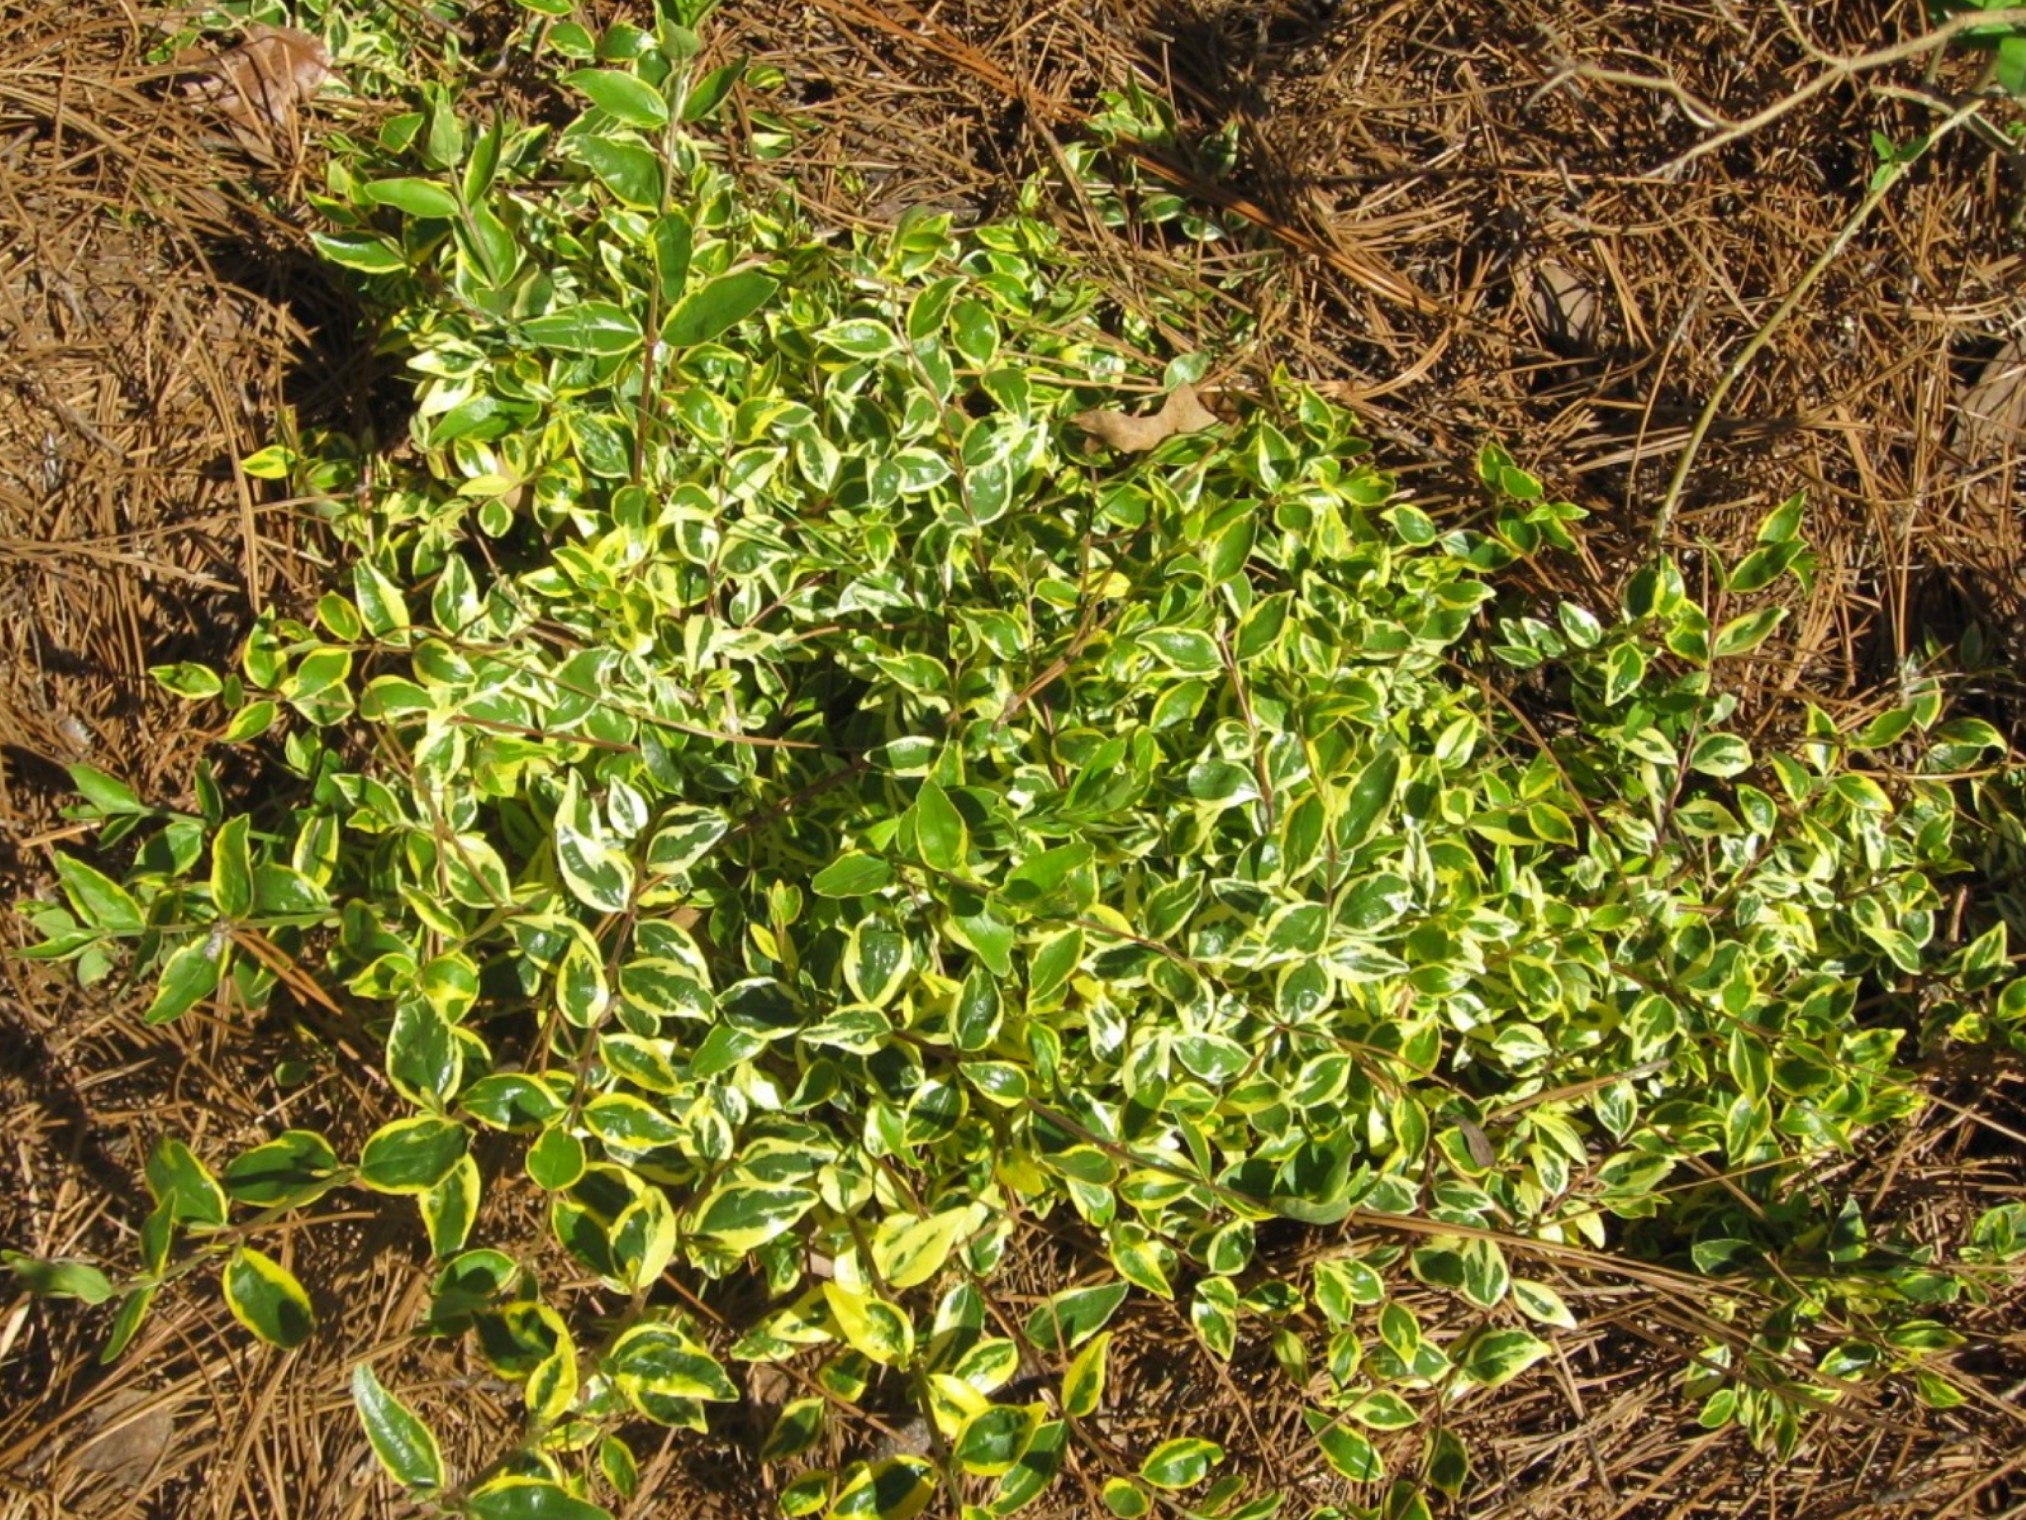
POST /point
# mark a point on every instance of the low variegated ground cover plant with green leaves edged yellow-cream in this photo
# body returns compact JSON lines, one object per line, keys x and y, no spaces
{"x":769,"y":761}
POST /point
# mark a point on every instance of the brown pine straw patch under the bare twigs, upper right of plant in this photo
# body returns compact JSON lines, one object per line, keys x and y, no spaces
{"x":1482,"y":250}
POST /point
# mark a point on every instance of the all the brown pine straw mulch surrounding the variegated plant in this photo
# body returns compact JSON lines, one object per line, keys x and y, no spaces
{"x":1458,"y":230}
